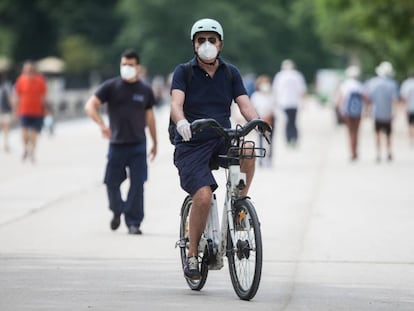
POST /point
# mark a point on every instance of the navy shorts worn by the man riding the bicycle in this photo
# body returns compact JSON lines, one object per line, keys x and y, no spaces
{"x":194,"y":161}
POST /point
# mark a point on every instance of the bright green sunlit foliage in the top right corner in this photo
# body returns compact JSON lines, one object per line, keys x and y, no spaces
{"x":371,"y":31}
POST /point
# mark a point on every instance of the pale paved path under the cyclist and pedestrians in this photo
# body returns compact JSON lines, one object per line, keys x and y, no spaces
{"x":337,"y":235}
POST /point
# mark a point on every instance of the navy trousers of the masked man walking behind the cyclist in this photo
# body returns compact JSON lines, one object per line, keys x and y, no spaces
{"x":131,"y":157}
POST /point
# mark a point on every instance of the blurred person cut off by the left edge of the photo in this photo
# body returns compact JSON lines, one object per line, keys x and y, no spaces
{"x":6,"y":110}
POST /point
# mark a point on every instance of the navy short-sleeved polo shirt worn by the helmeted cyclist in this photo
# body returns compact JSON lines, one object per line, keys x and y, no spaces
{"x":208,"y":97}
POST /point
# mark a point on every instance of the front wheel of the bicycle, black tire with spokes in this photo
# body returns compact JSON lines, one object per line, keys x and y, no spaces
{"x":245,"y":258}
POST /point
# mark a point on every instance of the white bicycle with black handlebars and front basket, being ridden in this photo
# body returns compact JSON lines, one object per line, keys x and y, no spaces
{"x":239,"y":237}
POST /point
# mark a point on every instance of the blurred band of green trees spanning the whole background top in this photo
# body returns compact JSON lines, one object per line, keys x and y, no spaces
{"x":90,"y":35}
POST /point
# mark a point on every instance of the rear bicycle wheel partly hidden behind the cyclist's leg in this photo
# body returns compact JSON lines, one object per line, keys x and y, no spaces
{"x":184,"y":226}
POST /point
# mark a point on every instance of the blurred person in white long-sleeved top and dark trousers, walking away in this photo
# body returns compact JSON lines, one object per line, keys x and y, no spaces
{"x":289,"y":87}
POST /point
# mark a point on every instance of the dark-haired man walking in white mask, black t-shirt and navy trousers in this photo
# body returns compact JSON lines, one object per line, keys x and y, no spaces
{"x":130,"y":110}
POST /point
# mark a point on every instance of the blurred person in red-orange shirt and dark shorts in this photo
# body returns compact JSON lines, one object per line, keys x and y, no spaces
{"x":30,"y":90}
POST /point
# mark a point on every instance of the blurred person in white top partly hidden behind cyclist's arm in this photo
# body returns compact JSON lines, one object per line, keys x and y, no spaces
{"x":264,"y":102}
